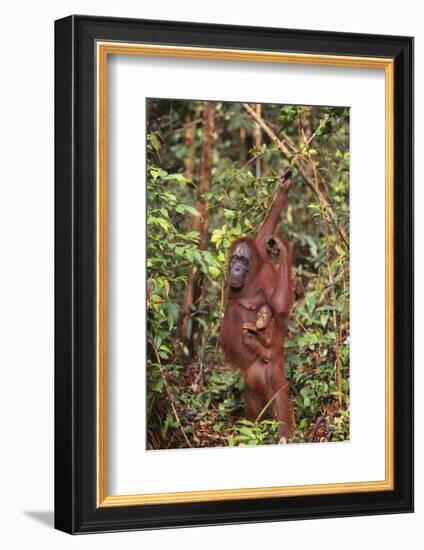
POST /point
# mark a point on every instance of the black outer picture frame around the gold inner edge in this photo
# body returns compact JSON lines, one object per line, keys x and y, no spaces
{"x":76,"y":509}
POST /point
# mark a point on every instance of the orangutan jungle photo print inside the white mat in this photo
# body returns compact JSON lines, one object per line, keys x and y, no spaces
{"x":247,"y":274}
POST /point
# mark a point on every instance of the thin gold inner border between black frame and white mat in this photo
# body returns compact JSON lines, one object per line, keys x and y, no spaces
{"x":103,"y":50}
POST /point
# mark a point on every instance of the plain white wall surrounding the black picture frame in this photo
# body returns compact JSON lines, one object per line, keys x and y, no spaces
{"x":26,"y":278}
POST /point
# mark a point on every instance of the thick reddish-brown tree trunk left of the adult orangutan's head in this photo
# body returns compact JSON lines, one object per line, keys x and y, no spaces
{"x":201,"y":224}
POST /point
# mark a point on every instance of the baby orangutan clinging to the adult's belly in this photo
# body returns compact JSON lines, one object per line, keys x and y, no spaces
{"x":259,"y":336}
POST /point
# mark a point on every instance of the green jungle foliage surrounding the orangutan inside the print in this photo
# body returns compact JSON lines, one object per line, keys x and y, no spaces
{"x":193,"y":398}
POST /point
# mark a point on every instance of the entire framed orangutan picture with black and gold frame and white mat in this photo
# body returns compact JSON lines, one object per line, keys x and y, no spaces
{"x":234,"y":274}
